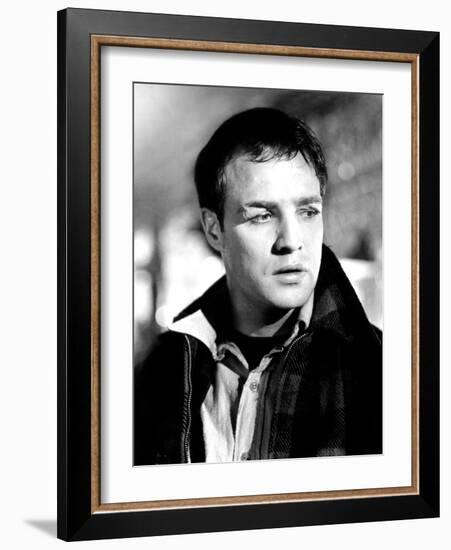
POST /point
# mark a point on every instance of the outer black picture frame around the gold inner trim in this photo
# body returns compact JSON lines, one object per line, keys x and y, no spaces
{"x":79,"y":514}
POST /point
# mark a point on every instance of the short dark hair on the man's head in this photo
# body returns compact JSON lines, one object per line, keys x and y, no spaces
{"x":260,"y":134}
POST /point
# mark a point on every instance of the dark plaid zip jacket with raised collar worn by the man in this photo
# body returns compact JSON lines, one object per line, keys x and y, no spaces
{"x":325,"y":389}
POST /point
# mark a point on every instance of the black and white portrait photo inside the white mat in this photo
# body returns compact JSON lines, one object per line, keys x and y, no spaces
{"x":257,"y":261}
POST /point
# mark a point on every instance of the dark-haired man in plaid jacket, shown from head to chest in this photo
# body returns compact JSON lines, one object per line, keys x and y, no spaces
{"x":277,"y":359}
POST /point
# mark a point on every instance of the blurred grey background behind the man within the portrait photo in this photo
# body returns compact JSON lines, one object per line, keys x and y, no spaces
{"x":173,"y":264}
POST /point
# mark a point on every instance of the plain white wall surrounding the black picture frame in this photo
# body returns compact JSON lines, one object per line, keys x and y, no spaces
{"x":28,"y":273}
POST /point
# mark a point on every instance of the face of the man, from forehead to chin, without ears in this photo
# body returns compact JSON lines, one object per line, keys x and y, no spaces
{"x":272,"y":233}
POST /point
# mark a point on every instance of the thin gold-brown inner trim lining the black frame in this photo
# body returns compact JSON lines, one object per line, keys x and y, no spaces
{"x":97,"y":41}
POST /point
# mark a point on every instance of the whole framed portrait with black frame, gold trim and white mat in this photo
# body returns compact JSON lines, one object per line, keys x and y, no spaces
{"x":248,"y":274}
